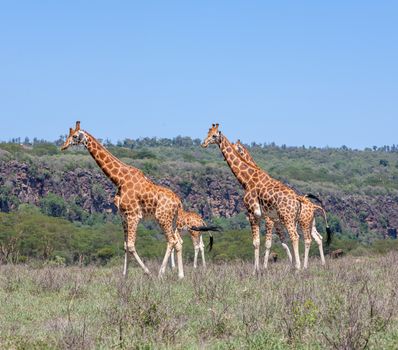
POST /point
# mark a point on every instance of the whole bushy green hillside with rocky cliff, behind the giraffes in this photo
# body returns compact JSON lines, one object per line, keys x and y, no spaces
{"x":41,"y":218}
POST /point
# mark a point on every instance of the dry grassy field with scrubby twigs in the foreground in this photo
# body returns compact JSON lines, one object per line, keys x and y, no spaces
{"x":351,"y":303}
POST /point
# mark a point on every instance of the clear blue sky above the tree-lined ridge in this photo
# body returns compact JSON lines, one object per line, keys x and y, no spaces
{"x":293,"y":72}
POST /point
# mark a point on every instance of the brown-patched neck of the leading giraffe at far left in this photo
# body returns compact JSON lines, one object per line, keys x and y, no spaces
{"x":108,"y":163}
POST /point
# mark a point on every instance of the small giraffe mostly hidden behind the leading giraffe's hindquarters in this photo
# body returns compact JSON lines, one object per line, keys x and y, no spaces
{"x":188,"y":221}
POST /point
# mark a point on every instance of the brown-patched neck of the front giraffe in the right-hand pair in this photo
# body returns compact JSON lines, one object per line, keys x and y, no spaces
{"x":242,"y":171}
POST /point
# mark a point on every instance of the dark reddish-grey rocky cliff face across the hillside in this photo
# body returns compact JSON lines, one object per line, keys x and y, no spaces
{"x":211,"y":194}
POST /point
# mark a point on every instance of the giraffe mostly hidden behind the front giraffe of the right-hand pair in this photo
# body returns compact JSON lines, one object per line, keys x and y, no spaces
{"x":306,"y":219}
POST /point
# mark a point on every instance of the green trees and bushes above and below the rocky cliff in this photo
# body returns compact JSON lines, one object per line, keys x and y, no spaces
{"x":59,"y":228}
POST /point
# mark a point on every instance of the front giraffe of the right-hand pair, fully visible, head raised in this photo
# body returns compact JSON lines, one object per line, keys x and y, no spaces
{"x":263,"y":195}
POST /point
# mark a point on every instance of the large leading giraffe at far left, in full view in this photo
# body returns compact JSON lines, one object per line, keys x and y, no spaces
{"x":137,"y":197}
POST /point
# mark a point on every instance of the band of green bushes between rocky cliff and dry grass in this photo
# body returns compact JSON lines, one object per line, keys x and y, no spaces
{"x":29,"y":234}
